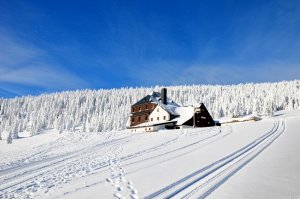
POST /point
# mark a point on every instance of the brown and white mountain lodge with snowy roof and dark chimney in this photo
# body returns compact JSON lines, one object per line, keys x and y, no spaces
{"x":156,"y":111}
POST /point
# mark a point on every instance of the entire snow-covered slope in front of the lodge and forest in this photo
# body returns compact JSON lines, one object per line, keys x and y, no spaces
{"x":237,"y":160}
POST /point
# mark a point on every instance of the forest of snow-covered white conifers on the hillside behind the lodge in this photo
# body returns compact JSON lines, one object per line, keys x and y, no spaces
{"x":108,"y":110}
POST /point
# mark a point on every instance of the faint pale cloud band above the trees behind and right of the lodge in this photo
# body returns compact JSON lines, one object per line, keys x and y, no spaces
{"x":180,"y":73}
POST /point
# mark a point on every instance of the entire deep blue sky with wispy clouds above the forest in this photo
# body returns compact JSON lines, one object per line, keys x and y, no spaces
{"x":49,"y":46}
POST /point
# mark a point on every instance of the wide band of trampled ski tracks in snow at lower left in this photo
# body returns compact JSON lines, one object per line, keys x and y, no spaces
{"x":46,"y":174}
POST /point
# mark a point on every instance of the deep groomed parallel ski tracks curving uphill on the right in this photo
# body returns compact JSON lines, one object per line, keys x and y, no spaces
{"x":204,"y":181}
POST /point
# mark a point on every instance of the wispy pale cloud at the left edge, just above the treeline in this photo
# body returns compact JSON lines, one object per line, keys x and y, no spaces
{"x":24,"y":64}
